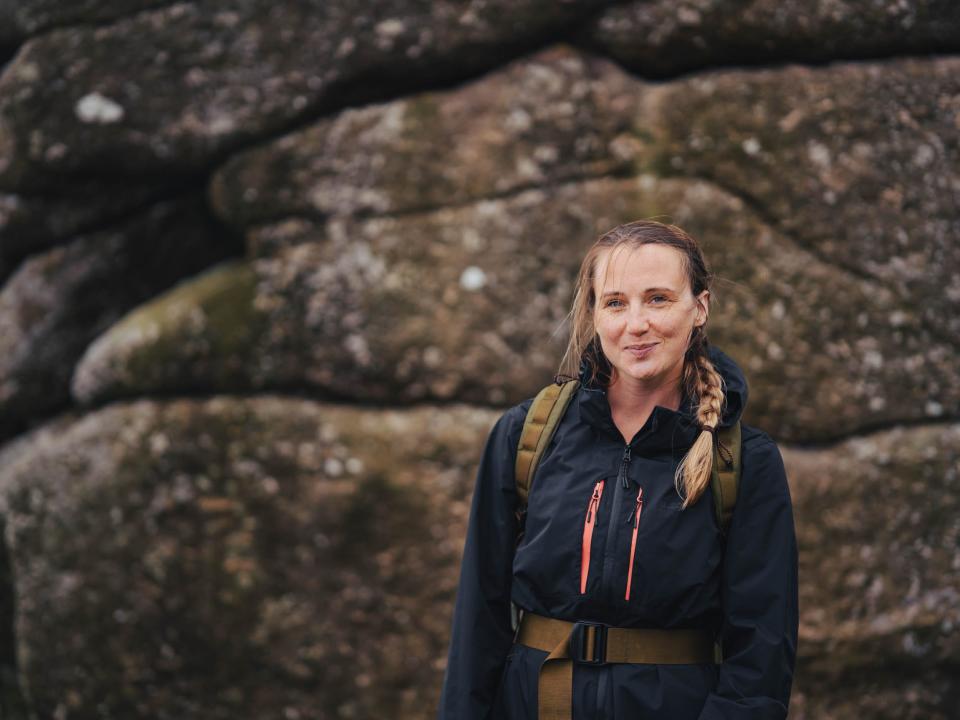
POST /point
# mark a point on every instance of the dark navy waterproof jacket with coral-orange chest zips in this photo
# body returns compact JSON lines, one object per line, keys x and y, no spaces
{"x":686,"y":573}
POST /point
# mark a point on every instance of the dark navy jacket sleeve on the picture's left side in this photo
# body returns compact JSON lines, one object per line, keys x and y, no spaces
{"x":481,"y":636}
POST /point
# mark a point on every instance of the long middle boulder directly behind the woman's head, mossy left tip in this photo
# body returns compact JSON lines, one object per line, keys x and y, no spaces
{"x":468,"y":303}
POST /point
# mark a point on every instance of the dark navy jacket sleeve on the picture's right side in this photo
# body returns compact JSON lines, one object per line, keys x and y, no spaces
{"x":759,"y":595}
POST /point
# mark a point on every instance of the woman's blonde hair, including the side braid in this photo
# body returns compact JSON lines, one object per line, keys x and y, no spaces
{"x":700,"y":379}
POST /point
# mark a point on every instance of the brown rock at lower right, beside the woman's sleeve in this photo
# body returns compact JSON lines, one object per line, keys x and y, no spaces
{"x":879,"y":533}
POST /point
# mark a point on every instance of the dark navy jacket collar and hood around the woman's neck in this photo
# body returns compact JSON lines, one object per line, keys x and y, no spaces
{"x":668,"y":426}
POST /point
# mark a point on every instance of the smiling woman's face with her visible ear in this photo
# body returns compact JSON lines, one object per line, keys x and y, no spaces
{"x":645,"y":313}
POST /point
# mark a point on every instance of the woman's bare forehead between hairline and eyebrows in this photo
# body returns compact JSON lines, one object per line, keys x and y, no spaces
{"x":624,"y":268}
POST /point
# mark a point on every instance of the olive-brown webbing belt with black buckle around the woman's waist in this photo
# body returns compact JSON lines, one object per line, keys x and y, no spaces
{"x":588,"y":643}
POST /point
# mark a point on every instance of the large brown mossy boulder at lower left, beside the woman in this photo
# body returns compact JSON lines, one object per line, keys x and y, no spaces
{"x":258,"y":558}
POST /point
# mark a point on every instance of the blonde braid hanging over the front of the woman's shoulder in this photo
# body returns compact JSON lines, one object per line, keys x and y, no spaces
{"x":705,"y":384}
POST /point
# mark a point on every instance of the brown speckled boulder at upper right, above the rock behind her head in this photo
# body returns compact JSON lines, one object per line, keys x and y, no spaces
{"x":861,"y":163}
